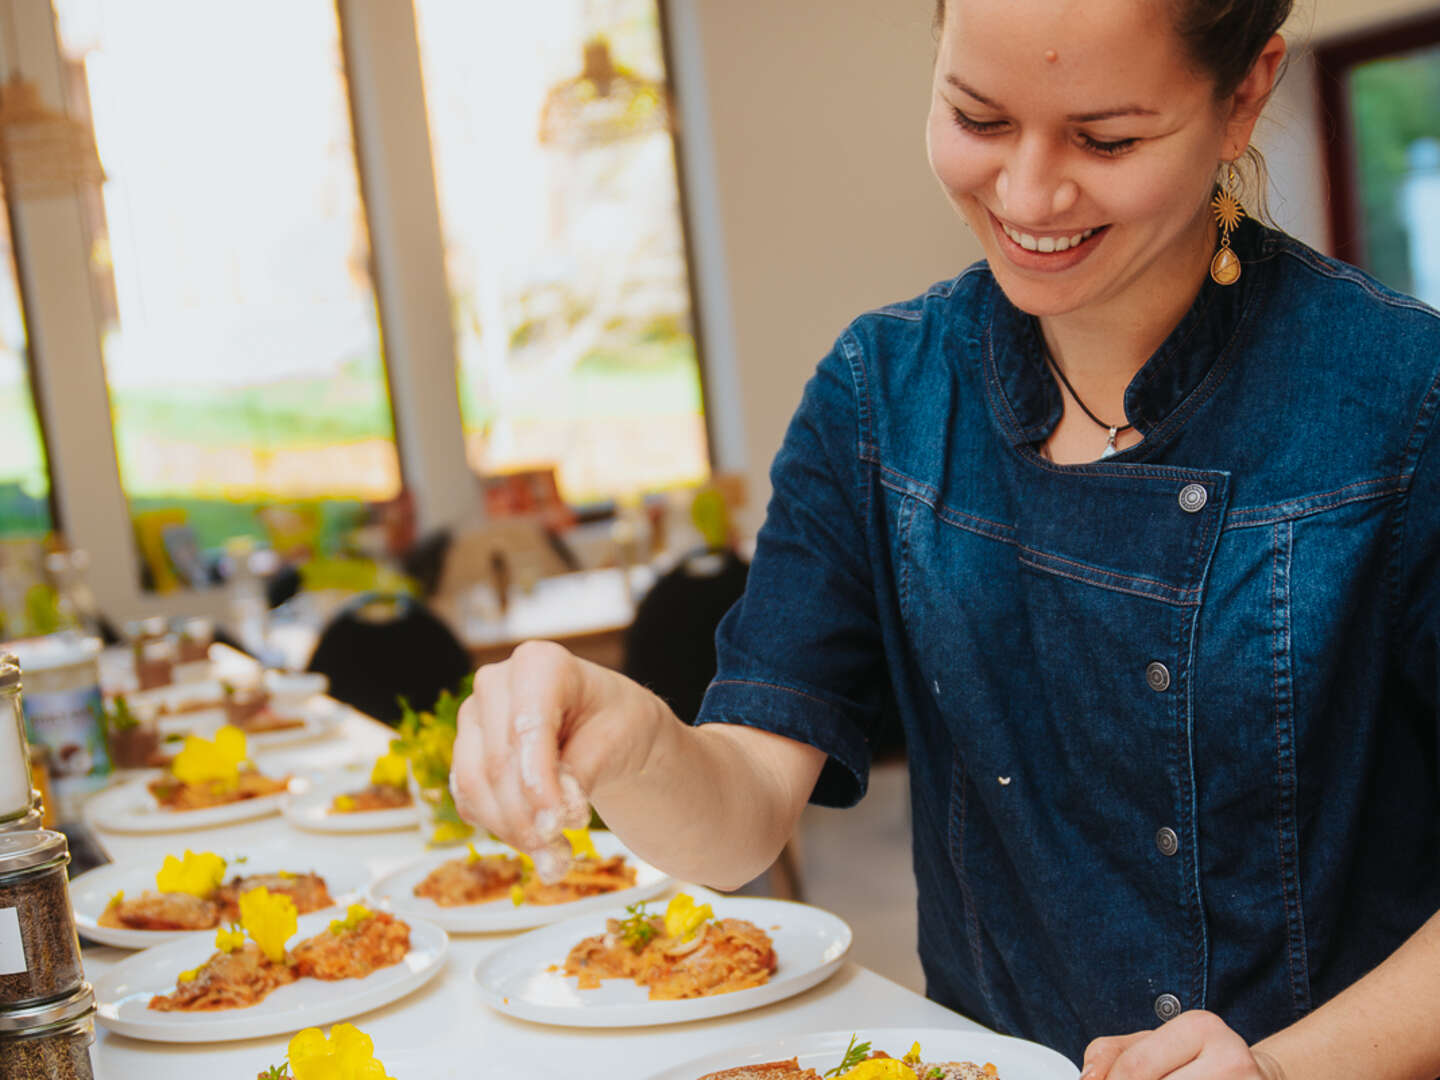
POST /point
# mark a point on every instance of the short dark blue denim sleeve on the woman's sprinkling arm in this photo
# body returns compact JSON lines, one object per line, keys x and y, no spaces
{"x":801,"y":654}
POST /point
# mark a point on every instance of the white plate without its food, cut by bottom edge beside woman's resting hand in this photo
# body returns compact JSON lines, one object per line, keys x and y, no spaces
{"x":1014,"y":1058}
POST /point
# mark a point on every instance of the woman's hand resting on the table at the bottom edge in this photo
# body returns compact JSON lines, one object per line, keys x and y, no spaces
{"x":1194,"y":1046}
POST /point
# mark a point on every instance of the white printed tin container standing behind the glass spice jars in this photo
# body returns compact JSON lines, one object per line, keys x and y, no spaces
{"x":63,"y":714}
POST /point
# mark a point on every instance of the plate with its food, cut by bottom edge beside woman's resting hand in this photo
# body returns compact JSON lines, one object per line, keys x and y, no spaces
{"x":934,"y":1055}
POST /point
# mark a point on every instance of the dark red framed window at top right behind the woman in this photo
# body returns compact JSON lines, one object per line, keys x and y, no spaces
{"x":1382,"y":102}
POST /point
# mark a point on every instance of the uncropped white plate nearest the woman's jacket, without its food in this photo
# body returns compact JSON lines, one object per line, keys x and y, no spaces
{"x":810,"y":945}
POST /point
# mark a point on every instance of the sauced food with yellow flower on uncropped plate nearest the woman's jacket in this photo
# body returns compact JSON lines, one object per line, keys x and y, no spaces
{"x":685,"y":954}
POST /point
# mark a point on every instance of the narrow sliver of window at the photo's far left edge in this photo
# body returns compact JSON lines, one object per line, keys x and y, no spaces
{"x":25,"y":479}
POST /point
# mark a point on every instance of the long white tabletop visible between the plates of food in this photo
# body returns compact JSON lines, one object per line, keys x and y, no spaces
{"x":444,"y":1030}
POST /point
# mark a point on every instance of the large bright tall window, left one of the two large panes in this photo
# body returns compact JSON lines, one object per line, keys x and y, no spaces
{"x":243,"y":345}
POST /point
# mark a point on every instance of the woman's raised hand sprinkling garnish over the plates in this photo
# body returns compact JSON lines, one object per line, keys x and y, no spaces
{"x":544,"y":732}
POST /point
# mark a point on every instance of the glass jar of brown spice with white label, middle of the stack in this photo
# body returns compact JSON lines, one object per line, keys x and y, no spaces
{"x":40,"y":950}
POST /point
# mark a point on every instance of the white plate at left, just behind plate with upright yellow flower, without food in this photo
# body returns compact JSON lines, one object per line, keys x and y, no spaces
{"x":91,"y":892}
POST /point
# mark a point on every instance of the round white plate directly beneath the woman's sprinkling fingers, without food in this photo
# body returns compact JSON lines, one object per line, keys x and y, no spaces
{"x":397,"y":892}
